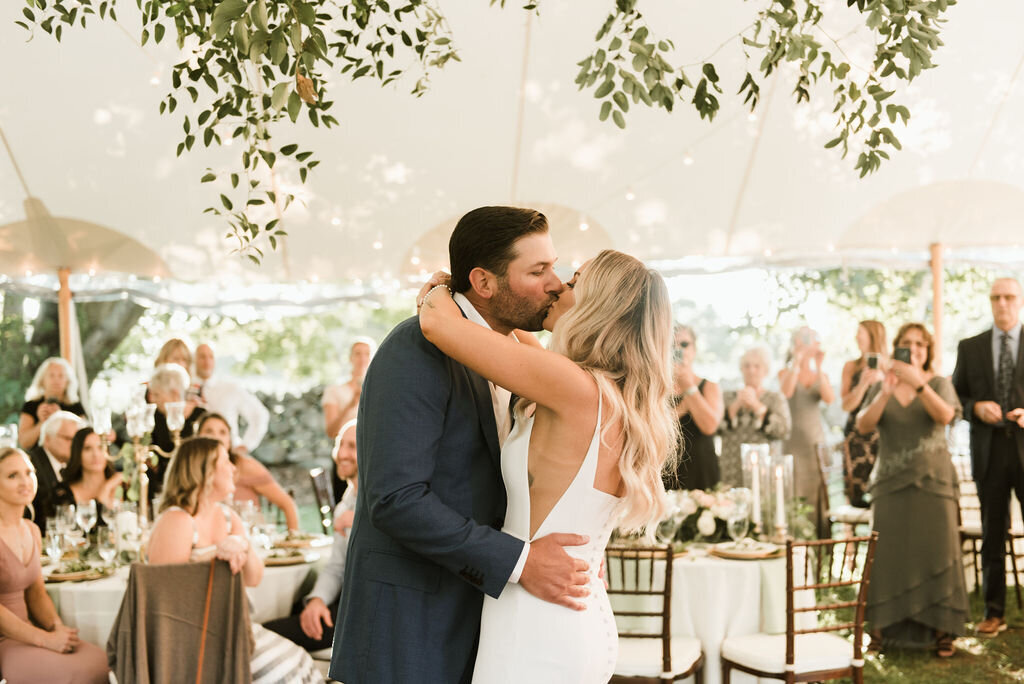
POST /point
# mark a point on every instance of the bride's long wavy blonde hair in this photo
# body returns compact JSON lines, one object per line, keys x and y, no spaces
{"x":621,"y":332}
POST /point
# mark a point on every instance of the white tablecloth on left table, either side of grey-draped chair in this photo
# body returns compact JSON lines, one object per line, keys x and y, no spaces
{"x":93,"y":607}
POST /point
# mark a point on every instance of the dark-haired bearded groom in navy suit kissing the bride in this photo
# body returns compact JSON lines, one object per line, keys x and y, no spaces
{"x":426,"y":544}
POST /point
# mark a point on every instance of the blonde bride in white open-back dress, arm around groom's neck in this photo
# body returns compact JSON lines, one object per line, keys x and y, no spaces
{"x":592,"y":434}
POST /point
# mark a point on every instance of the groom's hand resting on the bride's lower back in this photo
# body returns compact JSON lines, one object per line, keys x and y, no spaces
{"x":554,"y":576}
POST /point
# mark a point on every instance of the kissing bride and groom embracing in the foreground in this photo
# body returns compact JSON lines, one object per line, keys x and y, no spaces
{"x":480,"y":528}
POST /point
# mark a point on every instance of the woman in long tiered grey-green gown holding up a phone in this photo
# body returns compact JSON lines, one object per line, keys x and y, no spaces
{"x":917,"y":597}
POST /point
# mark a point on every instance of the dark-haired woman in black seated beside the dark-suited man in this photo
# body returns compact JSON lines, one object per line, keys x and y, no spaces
{"x":90,"y":476}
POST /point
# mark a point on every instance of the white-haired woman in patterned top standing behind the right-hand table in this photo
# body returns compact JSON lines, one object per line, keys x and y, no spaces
{"x":753,"y":415}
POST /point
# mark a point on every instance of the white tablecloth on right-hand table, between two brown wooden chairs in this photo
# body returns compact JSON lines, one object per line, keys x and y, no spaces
{"x":714,"y":598}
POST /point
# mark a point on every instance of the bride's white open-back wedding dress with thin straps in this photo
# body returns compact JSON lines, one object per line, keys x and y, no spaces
{"x":525,"y":639}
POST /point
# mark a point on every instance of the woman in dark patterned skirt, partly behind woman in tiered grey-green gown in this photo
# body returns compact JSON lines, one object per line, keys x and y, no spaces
{"x":860,"y":374}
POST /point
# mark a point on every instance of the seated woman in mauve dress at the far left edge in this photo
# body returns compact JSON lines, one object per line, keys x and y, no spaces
{"x":35,"y":645}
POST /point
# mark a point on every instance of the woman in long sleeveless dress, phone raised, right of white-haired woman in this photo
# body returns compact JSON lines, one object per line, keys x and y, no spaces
{"x":806,"y":387}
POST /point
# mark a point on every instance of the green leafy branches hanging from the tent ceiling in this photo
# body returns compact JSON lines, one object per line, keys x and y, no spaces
{"x":255,"y":66}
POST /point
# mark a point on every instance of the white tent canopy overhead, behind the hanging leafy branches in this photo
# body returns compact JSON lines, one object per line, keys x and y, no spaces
{"x":81,"y":117}
